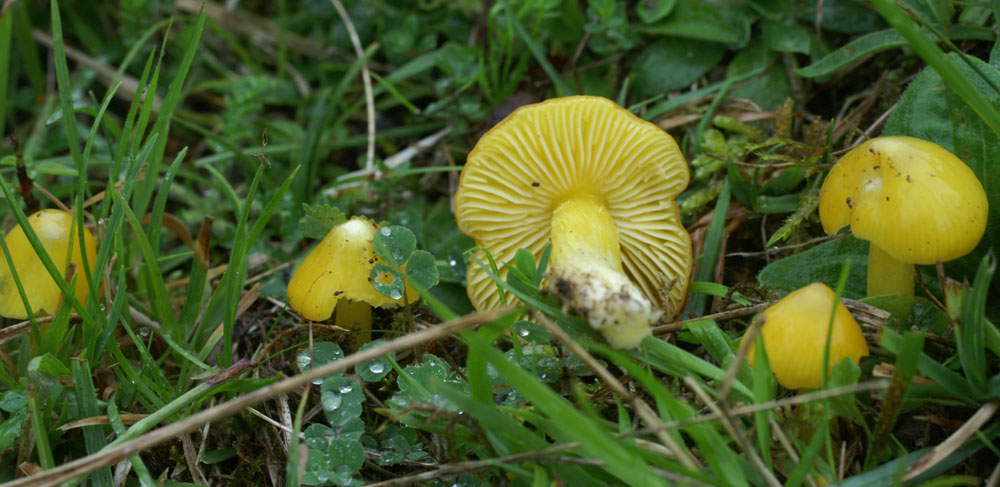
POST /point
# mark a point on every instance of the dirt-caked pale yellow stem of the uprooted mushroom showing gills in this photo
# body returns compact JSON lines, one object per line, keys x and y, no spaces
{"x":585,"y":272}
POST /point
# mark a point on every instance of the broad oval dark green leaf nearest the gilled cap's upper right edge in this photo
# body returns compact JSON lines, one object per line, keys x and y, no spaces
{"x":672,"y":64}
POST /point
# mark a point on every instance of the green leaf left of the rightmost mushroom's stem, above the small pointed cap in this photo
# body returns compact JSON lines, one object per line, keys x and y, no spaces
{"x":821,"y":263}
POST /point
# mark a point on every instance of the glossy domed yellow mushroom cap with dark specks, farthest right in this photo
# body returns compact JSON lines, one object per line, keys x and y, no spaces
{"x":912,"y":198}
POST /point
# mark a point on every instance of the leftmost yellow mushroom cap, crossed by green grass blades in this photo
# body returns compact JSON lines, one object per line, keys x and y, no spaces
{"x":54,"y":229}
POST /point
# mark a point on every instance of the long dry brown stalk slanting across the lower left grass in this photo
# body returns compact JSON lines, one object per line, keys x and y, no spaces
{"x":114,"y":454}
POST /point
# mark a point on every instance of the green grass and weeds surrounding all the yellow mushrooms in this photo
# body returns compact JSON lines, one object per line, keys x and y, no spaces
{"x":212,"y":146}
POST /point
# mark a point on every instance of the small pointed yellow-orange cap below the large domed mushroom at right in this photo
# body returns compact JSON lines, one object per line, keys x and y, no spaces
{"x":794,"y":333}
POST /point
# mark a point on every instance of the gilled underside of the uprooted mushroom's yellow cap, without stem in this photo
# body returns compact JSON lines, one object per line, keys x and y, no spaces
{"x":545,"y":153}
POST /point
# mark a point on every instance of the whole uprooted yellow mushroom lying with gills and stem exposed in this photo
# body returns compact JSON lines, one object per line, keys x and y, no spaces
{"x":599,"y":184}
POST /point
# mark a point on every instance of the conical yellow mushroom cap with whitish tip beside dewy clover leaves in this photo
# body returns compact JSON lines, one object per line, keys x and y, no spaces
{"x":339,"y":268}
